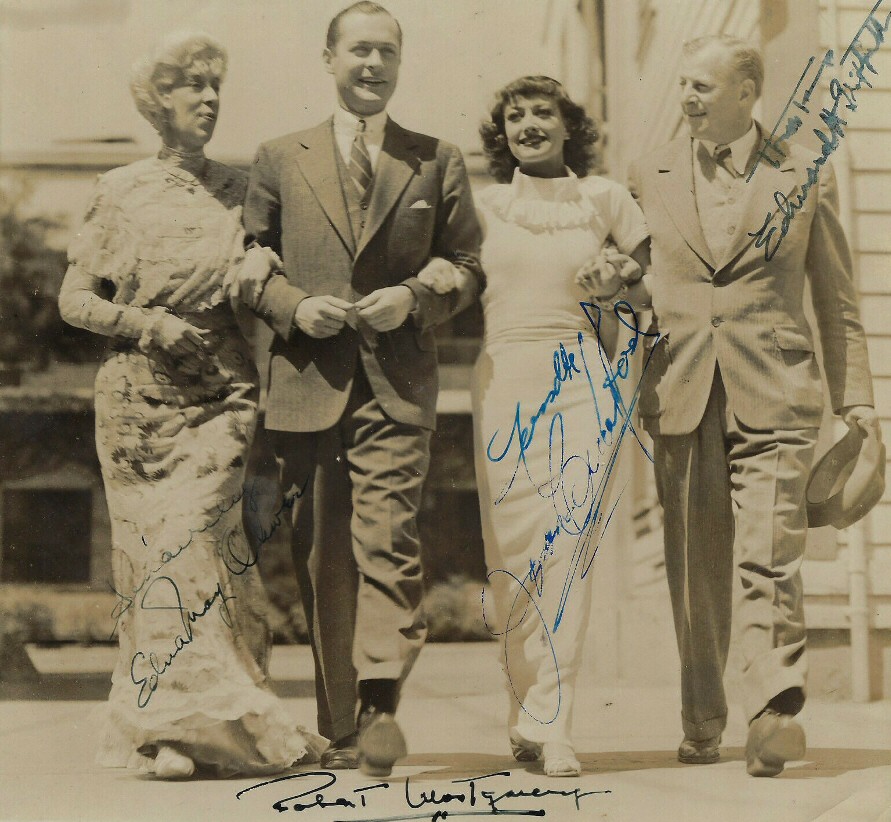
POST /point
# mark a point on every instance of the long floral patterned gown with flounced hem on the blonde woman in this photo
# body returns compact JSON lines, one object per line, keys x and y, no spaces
{"x":173,"y":436}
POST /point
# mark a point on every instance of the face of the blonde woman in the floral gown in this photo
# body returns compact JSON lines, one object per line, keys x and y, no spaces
{"x":192,"y":106}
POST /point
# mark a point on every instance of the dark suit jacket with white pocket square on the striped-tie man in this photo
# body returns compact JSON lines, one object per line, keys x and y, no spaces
{"x":420,"y":207}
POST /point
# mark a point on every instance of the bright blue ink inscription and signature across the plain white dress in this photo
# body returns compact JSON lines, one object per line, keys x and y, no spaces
{"x":579,"y":503}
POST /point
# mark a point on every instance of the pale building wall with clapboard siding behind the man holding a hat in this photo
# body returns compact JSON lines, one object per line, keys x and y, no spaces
{"x":643,"y":50}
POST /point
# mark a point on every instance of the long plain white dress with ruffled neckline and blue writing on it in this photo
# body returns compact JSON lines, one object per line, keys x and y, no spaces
{"x":547,"y":429}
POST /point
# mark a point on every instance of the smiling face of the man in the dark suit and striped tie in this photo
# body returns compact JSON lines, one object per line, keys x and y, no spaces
{"x":365,"y":62}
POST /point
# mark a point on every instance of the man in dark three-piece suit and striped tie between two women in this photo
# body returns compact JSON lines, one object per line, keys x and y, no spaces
{"x":357,"y":207}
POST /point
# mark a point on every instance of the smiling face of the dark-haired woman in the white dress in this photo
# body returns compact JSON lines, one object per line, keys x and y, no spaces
{"x":535,"y":134}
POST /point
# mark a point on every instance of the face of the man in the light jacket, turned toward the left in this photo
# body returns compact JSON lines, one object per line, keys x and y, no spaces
{"x":716,"y":99}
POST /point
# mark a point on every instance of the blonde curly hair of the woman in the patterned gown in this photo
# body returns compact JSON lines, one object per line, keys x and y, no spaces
{"x":159,"y":72}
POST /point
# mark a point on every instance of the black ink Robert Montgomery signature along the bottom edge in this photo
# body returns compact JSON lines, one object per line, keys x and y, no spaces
{"x":482,"y":792}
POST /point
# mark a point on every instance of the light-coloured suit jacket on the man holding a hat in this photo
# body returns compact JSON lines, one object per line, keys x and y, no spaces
{"x":742,"y":312}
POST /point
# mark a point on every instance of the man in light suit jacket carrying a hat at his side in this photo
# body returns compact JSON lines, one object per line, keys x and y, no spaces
{"x":732,"y":393}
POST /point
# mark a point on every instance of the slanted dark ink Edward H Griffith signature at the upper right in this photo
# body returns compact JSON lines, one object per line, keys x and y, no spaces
{"x":842,"y":94}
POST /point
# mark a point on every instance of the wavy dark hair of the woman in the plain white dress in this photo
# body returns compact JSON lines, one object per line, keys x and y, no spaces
{"x":581,"y":132}
